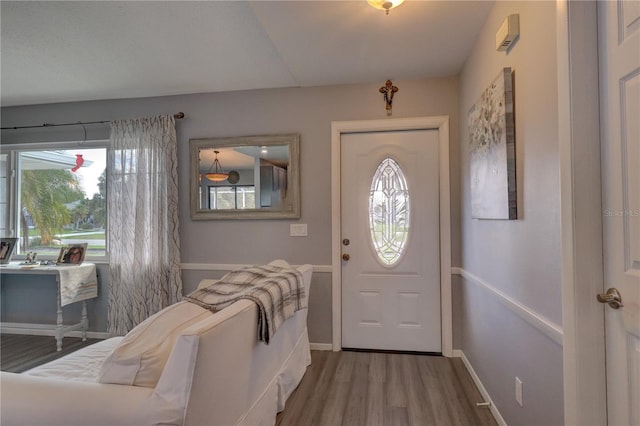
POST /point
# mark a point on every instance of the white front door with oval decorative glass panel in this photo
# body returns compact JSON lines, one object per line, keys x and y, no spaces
{"x":390,"y":240}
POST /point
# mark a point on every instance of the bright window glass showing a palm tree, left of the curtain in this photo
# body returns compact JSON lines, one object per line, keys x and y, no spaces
{"x":54,"y":196}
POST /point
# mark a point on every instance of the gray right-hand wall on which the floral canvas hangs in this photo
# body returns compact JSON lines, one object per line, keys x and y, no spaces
{"x":512,"y":268}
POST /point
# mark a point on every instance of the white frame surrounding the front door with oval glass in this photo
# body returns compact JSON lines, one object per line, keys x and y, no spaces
{"x":439,"y":123}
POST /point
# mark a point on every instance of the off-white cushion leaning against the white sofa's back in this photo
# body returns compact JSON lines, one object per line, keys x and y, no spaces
{"x":141,"y":355}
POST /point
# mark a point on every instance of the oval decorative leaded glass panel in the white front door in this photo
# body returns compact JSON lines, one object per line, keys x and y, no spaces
{"x":389,"y":212}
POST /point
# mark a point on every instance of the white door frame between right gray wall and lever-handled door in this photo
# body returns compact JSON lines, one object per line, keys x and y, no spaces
{"x":579,"y":138}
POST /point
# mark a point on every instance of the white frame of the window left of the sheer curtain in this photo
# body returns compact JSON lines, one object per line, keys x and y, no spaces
{"x":13,"y":187}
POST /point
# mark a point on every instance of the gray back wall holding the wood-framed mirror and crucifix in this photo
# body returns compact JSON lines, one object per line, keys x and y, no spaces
{"x":308,"y":111}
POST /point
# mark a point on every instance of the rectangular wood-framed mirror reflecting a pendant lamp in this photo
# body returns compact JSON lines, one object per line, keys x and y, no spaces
{"x":254,"y":177}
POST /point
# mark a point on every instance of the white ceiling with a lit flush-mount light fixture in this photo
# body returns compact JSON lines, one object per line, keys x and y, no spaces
{"x":54,"y":51}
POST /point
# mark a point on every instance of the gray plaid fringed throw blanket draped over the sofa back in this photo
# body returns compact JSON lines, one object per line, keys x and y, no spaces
{"x":278,"y":292}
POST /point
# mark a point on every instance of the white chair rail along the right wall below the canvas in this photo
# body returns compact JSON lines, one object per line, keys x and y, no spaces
{"x":544,"y":325}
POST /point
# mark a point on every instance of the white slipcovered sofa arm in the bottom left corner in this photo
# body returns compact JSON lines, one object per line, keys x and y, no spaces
{"x":27,"y":400}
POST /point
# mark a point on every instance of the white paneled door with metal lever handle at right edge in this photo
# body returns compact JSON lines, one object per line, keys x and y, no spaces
{"x":620,"y":105}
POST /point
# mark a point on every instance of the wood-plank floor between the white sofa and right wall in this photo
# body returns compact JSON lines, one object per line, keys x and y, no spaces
{"x":386,"y":389}
